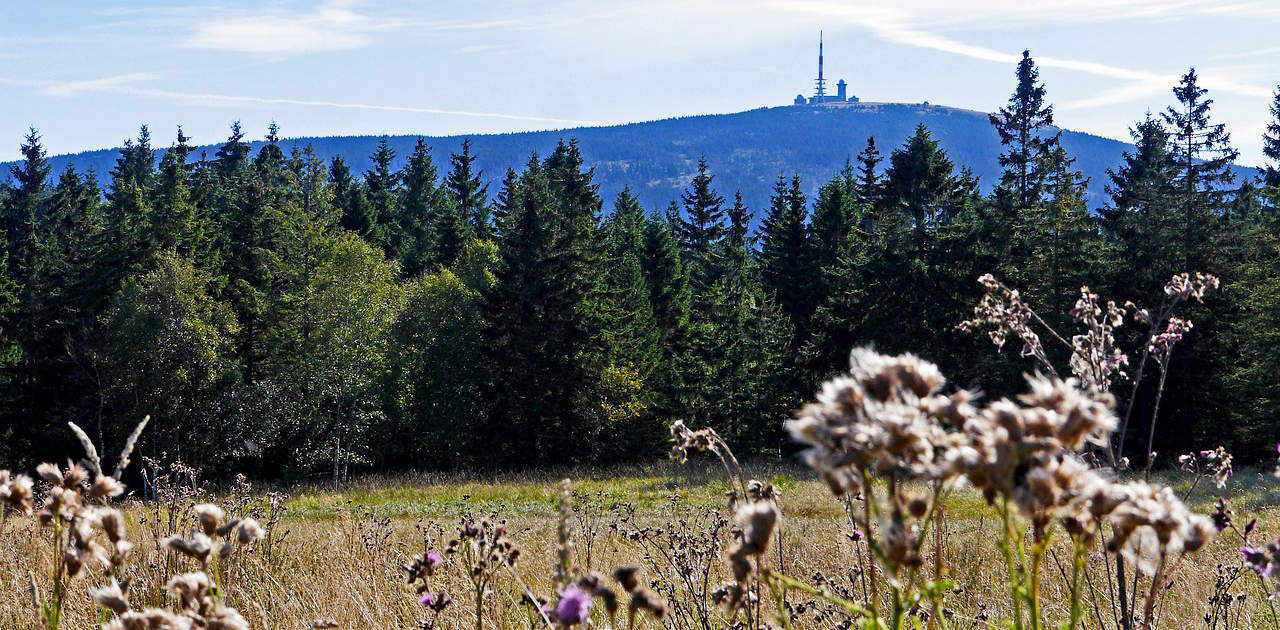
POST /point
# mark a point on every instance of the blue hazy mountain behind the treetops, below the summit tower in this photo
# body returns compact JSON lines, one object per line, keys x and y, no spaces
{"x":747,"y":150}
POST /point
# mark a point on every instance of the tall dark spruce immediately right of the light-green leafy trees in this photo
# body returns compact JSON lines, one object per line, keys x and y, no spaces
{"x":538,"y":331}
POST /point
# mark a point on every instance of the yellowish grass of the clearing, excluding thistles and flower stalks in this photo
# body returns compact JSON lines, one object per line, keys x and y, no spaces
{"x":342,"y":550}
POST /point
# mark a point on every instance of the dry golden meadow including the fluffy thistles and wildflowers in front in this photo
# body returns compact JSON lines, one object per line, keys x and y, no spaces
{"x":913,"y":505}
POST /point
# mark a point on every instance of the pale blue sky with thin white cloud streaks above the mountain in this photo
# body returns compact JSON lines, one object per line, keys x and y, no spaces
{"x":86,"y":74}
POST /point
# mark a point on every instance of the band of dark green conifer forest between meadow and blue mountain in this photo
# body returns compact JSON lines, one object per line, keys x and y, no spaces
{"x":286,"y":317}
